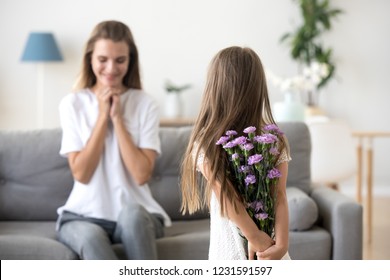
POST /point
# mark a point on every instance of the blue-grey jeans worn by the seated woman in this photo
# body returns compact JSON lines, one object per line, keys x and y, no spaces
{"x":92,"y":238}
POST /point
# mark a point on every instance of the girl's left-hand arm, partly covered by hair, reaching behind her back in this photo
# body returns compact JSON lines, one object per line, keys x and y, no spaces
{"x":257,"y":239}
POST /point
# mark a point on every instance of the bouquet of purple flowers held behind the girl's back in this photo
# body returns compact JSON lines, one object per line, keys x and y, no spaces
{"x":252,"y":160}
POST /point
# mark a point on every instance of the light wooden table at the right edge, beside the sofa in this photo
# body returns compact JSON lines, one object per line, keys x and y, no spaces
{"x":368,"y":136}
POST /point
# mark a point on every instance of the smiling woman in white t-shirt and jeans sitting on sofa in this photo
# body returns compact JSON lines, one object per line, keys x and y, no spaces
{"x":110,"y":137}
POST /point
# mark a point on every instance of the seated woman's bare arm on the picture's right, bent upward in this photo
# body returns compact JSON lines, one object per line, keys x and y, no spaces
{"x":139,"y":162}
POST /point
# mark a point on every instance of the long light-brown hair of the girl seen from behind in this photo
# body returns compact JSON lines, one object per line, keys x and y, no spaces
{"x":235,"y":97}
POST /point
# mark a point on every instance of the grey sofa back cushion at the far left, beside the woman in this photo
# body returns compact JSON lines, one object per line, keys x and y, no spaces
{"x":34,"y":179}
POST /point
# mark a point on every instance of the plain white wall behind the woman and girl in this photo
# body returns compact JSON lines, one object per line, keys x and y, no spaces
{"x":177,"y":39}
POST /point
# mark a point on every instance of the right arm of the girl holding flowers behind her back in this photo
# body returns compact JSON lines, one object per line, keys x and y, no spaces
{"x":280,"y":248}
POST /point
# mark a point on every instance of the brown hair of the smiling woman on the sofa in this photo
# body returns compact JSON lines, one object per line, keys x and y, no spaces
{"x":115,"y":31}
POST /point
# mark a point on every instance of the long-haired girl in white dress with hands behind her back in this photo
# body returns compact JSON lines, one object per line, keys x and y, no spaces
{"x":235,"y":97}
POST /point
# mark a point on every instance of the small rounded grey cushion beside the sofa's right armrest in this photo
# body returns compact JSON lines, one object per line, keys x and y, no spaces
{"x":303,"y":211}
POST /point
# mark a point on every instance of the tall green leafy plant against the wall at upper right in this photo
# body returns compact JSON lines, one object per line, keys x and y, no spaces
{"x":305,"y":42}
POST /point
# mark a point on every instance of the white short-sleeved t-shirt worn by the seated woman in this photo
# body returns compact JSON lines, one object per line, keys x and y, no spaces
{"x":111,"y":186}
